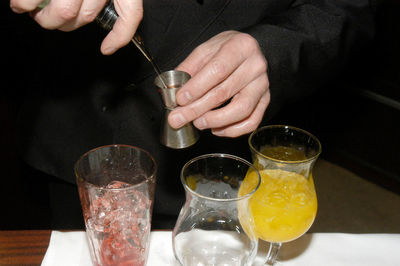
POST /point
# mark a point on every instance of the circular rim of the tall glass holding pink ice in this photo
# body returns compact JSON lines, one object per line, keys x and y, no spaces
{"x":148,"y":179}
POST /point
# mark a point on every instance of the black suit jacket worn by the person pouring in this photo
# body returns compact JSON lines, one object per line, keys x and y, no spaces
{"x":78,"y":99}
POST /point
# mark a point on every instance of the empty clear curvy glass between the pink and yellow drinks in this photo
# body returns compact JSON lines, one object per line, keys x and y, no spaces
{"x":215,"y":226}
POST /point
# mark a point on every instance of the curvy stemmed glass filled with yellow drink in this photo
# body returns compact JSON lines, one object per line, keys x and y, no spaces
{"x":285,"y":205}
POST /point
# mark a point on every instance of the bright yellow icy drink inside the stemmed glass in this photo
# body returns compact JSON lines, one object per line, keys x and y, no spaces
{"x":285,"y":205}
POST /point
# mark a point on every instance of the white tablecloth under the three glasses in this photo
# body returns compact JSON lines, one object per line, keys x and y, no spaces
{"x":336,"y":249}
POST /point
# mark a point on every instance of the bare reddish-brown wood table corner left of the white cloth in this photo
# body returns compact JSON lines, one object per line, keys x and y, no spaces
{"x":25,"y":247}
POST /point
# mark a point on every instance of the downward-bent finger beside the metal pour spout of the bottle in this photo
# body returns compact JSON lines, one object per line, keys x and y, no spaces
{"x":130,"y":14}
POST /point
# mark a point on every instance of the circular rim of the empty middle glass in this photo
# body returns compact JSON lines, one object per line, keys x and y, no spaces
{"x":220,"y":155}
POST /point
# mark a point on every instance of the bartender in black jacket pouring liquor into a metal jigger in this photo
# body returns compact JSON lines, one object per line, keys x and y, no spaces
{"x":247,"y":59}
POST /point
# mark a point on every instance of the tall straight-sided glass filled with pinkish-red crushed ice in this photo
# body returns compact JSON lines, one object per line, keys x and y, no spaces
{"x":116,"y":187}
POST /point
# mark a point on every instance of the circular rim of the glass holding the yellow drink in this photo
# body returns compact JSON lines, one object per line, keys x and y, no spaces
{"x":252,"y":148}
